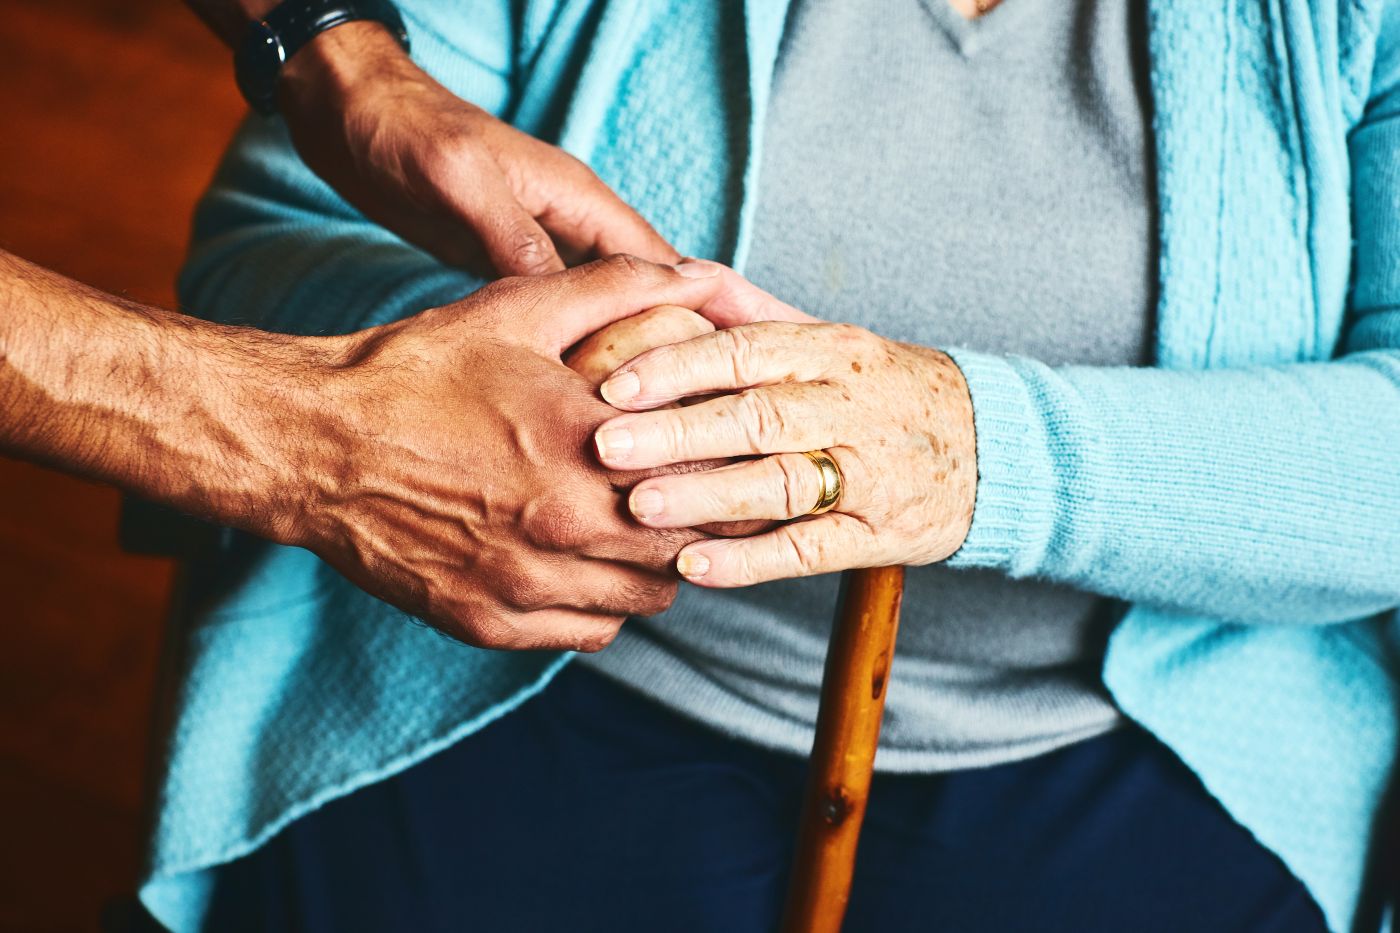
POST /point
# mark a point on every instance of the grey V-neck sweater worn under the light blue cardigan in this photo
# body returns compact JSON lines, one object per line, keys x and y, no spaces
{"x":954,"y":184}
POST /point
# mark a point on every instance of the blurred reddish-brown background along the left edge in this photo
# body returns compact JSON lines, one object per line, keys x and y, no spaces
{"x":113,"y":116}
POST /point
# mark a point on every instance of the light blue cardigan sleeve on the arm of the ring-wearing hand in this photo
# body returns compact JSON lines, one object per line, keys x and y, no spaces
{"x":1268,"y":494}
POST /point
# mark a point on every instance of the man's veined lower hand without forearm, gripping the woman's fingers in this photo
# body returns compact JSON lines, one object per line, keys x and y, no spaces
{"x":453,"y":470}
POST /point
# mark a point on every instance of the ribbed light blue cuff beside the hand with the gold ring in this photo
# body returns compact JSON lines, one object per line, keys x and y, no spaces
{"x":1014,"y":515}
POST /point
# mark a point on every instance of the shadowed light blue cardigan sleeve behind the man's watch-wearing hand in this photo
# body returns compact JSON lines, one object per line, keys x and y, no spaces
{"x":275,"y":247}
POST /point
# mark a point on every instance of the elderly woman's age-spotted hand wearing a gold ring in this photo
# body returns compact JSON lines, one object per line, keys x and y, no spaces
{"x":897,"y":420}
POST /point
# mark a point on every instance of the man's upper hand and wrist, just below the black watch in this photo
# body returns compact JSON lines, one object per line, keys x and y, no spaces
{"x":444,"y":174}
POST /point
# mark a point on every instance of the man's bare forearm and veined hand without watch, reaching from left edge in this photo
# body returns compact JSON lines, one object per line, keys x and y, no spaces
{"x":443,"y":463}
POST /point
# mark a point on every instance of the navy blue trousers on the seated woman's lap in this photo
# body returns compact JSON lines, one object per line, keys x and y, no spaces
{"x":593,"y":809}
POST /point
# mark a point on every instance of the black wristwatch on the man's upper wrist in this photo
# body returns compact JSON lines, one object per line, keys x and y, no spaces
{"x":292,"y":26}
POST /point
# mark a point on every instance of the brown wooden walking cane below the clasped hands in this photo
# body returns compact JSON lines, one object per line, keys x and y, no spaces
{"x":843,"y":754}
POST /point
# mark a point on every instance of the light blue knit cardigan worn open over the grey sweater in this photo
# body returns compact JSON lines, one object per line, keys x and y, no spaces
{"x":1244,"y":497}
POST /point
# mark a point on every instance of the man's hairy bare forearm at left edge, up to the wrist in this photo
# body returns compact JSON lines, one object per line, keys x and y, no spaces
{"x":205,"y":418}
